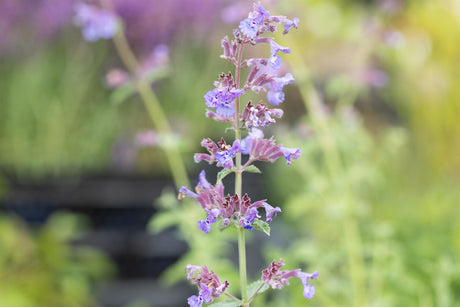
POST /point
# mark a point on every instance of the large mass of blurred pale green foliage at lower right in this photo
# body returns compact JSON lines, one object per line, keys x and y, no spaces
{"x":367,"y":229}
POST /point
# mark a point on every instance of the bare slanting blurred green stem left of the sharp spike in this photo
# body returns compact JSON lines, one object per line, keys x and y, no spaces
{"x":151,"y":102}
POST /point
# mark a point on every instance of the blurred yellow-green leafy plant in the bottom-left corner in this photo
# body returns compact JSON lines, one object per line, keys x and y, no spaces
{"x":41,"y":268}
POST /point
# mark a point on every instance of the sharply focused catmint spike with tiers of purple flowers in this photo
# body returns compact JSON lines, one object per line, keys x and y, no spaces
{"x":225,"y":105}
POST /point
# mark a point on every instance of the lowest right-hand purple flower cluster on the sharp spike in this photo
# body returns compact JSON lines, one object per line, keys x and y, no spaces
{"x":276,"y":279}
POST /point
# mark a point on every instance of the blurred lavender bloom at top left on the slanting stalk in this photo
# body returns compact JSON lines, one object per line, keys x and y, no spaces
{"x":96,"y":23}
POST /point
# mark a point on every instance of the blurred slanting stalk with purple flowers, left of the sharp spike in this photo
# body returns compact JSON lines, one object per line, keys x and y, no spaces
{"x":104,"y":23}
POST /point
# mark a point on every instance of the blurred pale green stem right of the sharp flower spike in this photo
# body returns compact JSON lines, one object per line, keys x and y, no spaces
{"x":319,"y":119}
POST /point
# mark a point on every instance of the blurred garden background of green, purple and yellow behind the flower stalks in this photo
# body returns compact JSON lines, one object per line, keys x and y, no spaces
{"x":89,"y":215}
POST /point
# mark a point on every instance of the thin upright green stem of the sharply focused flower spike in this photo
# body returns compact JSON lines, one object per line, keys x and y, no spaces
{"x":238,"y":189}
